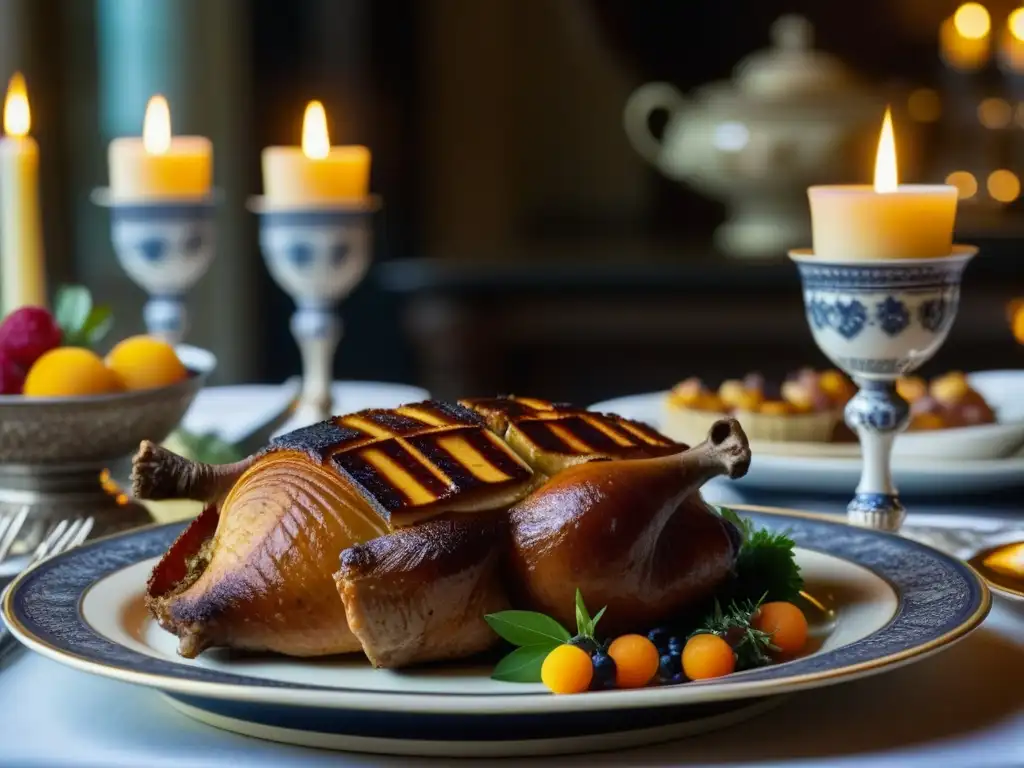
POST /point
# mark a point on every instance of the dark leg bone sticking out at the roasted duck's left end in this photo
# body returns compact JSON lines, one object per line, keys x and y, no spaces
{"x":158,"y":474}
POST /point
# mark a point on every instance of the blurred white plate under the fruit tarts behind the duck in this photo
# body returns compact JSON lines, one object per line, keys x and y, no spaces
{"x":926,"y":463}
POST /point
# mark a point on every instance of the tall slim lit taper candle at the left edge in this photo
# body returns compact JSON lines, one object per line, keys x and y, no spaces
{"x":23,"y":276}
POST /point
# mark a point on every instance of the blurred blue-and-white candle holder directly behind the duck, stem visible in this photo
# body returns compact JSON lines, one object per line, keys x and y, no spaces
{"x":318,"y":255}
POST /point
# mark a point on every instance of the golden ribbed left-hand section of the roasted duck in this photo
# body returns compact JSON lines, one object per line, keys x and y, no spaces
{"x":268,"y":585}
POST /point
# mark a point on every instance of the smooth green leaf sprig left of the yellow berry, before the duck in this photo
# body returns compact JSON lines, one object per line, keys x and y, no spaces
{"x":536,"y":635}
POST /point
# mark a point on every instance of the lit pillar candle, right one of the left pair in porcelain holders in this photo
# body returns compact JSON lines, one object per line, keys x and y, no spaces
{"x":315,"y":174}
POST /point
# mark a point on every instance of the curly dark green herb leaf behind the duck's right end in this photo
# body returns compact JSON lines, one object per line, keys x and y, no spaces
{"x":766,"y":567}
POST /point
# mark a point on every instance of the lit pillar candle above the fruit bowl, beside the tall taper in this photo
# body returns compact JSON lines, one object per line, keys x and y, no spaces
{"x":160,"y":166}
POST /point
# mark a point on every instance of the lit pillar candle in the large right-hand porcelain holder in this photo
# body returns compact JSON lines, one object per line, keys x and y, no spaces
{"x":884,"y":222}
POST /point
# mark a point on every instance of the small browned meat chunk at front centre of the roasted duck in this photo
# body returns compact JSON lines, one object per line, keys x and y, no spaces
{"x":420,"y":594}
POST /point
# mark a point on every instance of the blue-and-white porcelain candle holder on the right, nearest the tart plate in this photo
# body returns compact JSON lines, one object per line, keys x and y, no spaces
{"x":878,"y":321}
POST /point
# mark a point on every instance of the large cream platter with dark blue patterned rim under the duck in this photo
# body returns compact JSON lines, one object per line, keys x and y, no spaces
{"x":886,"y":602}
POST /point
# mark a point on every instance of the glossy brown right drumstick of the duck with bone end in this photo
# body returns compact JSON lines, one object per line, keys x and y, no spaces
{"x":634,"y":536}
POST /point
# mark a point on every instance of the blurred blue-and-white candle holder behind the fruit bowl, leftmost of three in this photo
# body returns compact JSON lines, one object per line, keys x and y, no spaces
{"x":165,"y":247}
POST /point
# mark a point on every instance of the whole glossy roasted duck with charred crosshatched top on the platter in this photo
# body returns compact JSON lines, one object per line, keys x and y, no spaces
{"x":395,"y":532}
